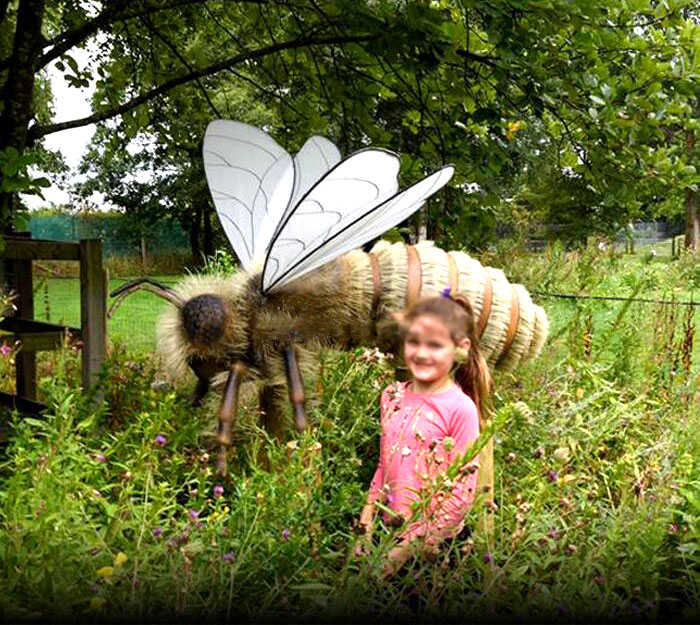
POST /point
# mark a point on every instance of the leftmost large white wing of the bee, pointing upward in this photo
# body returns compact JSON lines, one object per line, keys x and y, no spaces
{"x":251,"y":179}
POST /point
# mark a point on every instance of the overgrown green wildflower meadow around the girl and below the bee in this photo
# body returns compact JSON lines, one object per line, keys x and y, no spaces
{"x":114,"y":513}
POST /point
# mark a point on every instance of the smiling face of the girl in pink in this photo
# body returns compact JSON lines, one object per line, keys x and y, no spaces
{"x":429,"y":352}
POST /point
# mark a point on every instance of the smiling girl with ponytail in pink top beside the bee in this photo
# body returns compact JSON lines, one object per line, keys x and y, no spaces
{"x":427,"y":423}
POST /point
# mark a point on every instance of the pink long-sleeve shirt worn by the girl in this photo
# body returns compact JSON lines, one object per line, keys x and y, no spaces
{"x":422,"y":434}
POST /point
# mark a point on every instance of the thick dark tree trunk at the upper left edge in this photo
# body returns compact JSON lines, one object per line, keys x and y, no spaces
{"x":17,"y":96}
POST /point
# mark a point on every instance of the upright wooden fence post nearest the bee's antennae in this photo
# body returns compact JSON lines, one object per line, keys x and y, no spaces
{"x":93,"y":309}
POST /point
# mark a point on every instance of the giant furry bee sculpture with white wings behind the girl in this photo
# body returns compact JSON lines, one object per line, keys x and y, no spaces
{"x":295,"y":224}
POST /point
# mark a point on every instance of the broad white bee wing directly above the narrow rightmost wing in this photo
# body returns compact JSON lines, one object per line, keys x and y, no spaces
{"x":346,"y":192}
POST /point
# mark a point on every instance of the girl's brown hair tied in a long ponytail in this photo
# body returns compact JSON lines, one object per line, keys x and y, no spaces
{"x":456,"y":312}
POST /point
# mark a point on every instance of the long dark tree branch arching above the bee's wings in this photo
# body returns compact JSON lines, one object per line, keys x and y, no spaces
{"x":41,"y":131}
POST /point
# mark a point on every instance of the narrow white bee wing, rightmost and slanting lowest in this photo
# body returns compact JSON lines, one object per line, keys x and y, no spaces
{"x":370,"y":224}
